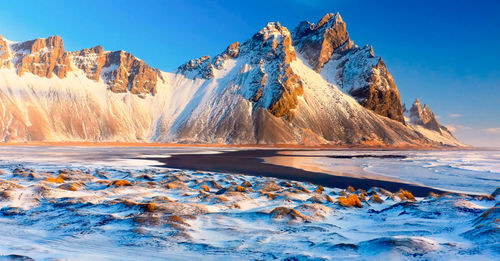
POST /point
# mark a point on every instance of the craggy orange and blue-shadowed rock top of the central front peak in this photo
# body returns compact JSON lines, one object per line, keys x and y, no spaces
{"x":269,"y":50}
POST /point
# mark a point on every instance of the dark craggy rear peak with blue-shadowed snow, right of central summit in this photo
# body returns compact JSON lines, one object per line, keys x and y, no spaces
{"x":328,"y":50}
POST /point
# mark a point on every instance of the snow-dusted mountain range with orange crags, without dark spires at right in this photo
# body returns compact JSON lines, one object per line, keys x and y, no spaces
{"x":277,"y":87}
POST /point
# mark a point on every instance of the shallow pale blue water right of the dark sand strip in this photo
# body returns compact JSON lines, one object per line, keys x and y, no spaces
{"x":466,"y":171}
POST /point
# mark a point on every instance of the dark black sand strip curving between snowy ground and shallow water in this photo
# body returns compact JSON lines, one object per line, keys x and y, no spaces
{"x":249,"y":162}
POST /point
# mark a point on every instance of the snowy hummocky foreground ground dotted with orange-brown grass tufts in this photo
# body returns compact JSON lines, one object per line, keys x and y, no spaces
{"x":94,"y":203}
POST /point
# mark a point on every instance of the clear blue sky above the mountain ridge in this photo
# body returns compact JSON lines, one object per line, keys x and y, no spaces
{"x":447,"y":53}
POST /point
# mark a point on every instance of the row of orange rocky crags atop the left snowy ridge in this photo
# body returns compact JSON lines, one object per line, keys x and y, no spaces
{"x":120,"y":70}
